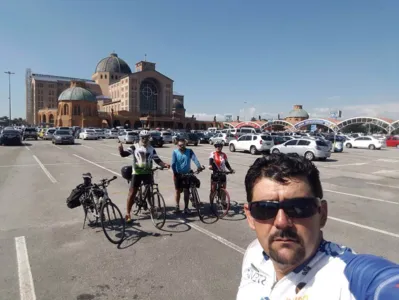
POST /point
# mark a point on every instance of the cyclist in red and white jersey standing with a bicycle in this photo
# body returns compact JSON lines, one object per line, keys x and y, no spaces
{"x":218,"y":162}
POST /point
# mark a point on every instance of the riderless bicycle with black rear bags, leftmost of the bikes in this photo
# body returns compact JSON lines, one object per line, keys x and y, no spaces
{"x":97,"y":204}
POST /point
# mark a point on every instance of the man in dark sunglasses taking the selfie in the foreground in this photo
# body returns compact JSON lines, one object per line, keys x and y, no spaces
{"x":290,"y":258}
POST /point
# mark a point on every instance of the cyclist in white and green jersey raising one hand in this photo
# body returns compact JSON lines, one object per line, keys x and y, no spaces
{"x":143,"y":155}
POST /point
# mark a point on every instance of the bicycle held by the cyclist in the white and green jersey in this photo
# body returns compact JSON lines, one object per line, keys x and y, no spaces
{"x":151,"y":197}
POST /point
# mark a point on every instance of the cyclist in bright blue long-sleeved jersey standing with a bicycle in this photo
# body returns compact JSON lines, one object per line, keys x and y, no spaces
{"x":181,"y":164}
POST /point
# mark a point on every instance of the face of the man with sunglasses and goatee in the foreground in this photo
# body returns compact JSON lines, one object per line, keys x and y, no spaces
{"x":287,"y":241}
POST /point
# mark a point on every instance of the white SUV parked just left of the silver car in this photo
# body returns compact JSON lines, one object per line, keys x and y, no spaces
{"x":253,"y":143}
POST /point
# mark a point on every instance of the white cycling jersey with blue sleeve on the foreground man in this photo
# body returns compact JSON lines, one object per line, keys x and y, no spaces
{"x":333,"y":273}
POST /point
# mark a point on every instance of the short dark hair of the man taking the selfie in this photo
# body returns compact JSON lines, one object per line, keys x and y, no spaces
{"x":281,"y":167}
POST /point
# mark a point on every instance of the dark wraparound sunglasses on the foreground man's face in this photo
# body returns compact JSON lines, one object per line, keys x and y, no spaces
{"x":300,"y":208}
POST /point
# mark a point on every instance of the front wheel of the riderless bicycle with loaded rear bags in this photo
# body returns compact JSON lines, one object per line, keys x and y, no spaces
{"x":112,"y":222}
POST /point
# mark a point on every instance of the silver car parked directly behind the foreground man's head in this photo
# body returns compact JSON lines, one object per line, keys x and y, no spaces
{"x":309,"y":148}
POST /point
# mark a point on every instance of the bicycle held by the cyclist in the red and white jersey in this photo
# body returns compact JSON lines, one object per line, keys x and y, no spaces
{"x":220,"y":197}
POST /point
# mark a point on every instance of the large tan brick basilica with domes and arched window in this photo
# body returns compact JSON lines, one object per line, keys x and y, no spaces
{"x":118,"y":97}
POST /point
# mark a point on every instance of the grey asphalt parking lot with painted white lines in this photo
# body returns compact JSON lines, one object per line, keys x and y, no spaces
{"x":187,"y":259}
